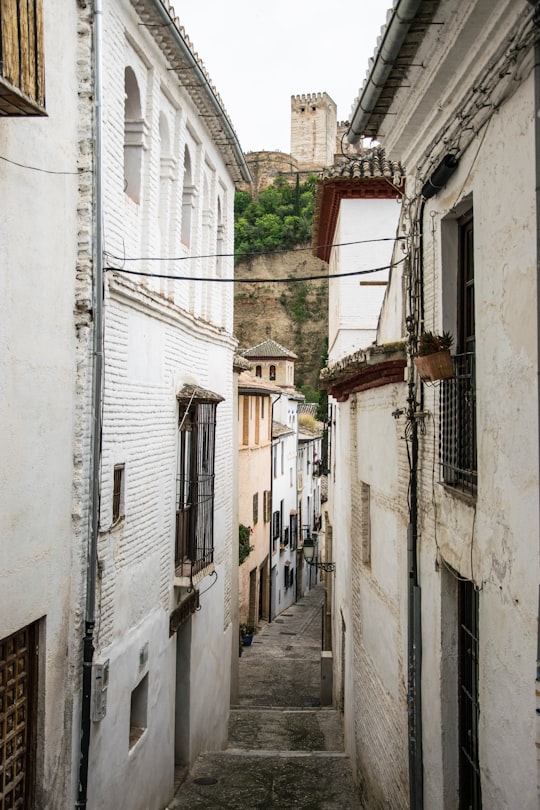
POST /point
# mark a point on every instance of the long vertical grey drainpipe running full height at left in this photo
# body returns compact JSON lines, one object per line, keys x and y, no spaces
{"x":91,"y":563}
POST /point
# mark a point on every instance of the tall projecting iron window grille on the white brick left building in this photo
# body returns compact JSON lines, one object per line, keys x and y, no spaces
{"x":194,"y":548}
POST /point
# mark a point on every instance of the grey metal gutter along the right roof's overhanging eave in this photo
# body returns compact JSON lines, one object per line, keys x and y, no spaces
{"x":393,"y":38}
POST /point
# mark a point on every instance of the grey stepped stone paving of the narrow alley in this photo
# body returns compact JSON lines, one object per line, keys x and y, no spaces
{"x":285,"y":751}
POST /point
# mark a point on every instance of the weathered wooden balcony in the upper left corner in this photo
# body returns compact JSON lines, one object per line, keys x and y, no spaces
{"x":22,"y":64}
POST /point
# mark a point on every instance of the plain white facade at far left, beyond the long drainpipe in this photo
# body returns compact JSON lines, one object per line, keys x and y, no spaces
{"x":41,"y":588}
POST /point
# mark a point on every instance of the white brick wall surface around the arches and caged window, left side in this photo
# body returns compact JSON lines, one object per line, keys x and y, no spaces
{"x":160,"y":335}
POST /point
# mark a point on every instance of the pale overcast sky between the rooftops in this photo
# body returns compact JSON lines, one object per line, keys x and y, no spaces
{"x":259,"y":54}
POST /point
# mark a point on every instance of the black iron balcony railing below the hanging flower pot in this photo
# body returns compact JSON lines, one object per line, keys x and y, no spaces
{"x":457,"y":453}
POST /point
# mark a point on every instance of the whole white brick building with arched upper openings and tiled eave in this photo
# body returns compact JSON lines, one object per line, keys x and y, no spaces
{"x":167,"y":550}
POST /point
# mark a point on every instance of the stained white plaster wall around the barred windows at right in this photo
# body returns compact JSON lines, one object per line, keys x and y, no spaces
{"x":494,"y":542}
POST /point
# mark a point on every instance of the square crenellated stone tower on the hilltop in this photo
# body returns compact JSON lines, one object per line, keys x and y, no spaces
{"x":313,"y":130}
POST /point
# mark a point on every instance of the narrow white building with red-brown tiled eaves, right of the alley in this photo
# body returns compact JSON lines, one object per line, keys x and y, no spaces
{"x":356,"y":202}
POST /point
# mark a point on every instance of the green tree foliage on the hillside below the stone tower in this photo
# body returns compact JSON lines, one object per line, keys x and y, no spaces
{"x":278,"y":219}
